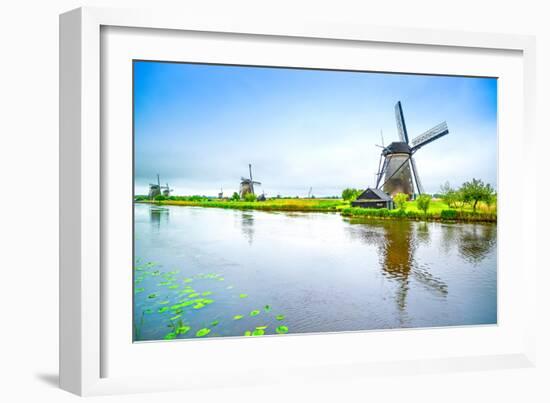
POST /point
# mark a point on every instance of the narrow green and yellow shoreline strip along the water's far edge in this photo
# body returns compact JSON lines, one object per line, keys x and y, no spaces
{"x":337,"y":206}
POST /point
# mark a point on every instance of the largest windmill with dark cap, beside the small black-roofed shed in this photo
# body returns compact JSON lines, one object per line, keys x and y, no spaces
{"x":397,"y":168}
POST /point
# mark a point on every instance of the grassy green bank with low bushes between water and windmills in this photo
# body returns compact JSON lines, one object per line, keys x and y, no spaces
{"x":438,"y":210}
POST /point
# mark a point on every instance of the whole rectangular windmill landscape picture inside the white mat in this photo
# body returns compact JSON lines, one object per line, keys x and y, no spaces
{"x":272,"y":200}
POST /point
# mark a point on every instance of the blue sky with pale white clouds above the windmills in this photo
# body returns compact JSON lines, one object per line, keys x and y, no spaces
{"x":199,"y":126}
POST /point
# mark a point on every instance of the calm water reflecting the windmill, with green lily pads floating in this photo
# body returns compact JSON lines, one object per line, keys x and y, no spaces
{"x":323,"y":272}
